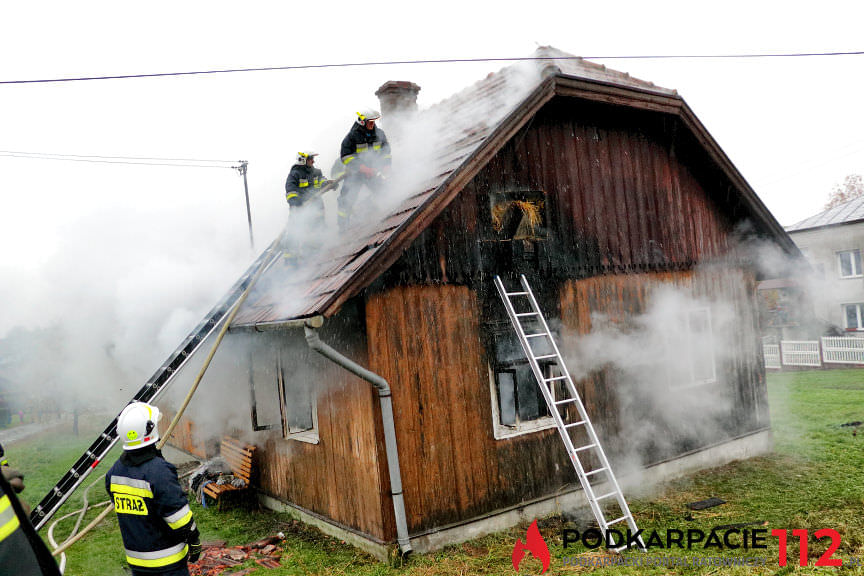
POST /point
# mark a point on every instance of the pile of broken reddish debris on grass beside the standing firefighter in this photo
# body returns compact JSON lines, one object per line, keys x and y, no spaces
{"x":219,"y":560}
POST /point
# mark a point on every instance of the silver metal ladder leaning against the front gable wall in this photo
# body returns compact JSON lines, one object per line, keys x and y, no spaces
{"x":585,"y":452}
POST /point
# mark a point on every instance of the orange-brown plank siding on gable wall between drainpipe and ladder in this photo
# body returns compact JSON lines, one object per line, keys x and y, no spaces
{"x":428,"y":346}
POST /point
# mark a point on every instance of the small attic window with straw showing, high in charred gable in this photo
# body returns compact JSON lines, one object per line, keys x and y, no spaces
{"x":518,"y":215}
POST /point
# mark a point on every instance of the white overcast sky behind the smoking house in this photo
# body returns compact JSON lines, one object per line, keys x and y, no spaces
{"x":157,"y":245}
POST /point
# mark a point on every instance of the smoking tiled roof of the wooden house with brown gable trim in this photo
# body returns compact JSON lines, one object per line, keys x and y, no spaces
{"x":474,"y":123}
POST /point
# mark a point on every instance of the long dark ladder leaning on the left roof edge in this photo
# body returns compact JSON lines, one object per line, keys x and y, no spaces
{"x":154,"y":386}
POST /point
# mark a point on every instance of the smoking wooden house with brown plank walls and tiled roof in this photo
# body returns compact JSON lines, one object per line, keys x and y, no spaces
{"x":613,"y":200}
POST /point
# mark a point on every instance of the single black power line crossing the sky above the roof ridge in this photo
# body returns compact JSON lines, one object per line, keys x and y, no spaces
{"x":442,"y":61}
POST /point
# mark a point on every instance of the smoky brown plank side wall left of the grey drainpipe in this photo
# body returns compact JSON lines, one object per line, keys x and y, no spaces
{"x":344,"y":476}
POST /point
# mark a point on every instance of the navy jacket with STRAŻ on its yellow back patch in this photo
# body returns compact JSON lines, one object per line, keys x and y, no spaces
{"x":154,"y":516}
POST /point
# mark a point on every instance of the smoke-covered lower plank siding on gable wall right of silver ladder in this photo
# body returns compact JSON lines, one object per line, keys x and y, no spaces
{"x":619,"y":299}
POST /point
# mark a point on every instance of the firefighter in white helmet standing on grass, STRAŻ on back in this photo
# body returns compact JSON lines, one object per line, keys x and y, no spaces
{"x":158,"y":530}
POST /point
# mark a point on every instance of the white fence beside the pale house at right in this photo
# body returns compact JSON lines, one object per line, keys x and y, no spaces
{"x":815,"y":353}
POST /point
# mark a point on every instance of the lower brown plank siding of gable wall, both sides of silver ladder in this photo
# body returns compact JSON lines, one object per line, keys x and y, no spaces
{"x":428,"y":345}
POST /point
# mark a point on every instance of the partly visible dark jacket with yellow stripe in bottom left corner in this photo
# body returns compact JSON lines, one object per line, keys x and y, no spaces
{"x":22,"y":551}
